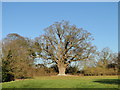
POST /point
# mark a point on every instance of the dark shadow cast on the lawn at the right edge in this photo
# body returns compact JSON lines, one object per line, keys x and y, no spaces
{"x":108,"y":81}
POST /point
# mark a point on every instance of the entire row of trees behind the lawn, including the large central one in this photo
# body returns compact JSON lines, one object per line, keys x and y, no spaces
{"x":62,"y":49}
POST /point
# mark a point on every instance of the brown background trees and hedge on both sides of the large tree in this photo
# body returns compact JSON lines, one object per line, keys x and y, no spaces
{"x":18,"y":61}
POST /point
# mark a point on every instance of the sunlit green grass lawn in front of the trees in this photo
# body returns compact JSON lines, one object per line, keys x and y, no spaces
{"x":65,"y":82}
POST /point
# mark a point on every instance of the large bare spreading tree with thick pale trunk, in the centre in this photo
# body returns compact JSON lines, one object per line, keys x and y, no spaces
{"x":64,"y":43}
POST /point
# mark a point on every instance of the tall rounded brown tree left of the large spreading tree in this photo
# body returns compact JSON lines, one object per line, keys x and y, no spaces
{"x":17,"y":55}
